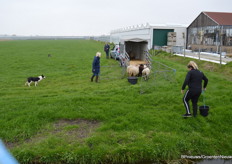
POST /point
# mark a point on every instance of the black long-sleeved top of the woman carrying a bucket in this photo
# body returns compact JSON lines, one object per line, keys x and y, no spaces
{"x":194,"y":80}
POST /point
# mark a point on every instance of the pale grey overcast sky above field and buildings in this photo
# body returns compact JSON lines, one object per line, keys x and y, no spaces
{"x":97,"y":17}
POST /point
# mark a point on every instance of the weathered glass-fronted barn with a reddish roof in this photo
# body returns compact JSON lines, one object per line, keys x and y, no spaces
{"x":211,"y":32}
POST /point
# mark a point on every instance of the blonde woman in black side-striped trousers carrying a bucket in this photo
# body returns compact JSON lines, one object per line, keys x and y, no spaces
{"x":194,"y":81}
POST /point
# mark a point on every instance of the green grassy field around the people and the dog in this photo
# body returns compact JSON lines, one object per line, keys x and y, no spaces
{"x":68,"y":119}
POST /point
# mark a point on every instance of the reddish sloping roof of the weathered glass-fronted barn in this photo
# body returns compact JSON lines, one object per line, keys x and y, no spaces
{"x":221,"y":18}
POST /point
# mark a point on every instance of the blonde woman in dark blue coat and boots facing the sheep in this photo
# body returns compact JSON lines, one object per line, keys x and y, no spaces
{"x":96,"y":67}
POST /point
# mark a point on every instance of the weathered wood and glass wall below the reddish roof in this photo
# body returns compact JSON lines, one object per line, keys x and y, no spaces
{"x":204,"y":32}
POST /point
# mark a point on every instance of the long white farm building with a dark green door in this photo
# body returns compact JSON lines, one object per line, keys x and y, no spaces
{"x":154,"y":35}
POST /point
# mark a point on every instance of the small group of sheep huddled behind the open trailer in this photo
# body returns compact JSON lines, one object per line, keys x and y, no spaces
{"x":139,"y":70}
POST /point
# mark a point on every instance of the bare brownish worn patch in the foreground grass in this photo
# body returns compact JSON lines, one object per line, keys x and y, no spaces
{"x":69,"y":130}
